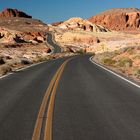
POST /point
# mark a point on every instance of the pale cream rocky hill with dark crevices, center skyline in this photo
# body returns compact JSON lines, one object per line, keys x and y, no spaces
{"x":77,"y":23}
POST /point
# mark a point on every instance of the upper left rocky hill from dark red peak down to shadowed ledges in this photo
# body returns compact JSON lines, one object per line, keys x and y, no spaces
{"x":18,"y":27}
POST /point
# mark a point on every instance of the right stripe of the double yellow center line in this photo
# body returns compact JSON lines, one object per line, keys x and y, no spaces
{"x":48,"y":125}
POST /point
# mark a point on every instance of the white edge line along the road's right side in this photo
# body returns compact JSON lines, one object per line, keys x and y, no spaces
{"x":114,"y":73}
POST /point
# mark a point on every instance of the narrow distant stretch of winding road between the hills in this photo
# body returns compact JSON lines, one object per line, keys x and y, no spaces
{"x":50,"y":40}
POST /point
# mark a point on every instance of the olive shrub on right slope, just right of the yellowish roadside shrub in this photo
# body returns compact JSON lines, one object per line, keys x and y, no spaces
{"x":125,"y":62}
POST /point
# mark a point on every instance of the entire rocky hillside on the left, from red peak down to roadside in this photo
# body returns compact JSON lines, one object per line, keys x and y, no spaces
{"x":22,"y":40}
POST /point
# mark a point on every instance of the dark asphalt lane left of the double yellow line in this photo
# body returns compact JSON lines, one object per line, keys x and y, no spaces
{"x":21,"y":96}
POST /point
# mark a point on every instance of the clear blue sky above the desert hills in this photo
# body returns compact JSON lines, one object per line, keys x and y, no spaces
{"x":58,"y":10}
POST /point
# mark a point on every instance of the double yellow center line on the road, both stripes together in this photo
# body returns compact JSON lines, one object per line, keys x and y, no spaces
{"x":50,"y":94}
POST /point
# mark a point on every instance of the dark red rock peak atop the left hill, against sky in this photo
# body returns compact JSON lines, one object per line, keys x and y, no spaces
{"x":13,"y":13}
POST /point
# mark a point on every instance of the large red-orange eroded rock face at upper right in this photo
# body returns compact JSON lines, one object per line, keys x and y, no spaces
{"x":118,"y":19}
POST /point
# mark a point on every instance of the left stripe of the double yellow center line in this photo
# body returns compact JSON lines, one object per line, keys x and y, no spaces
{"x":39,"y":121}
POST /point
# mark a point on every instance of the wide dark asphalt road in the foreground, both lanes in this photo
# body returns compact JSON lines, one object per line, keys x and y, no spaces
{"x":84,"y":102}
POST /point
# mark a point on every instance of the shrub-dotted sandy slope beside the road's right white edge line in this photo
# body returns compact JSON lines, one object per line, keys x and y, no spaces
{"x":126,"y":61}
